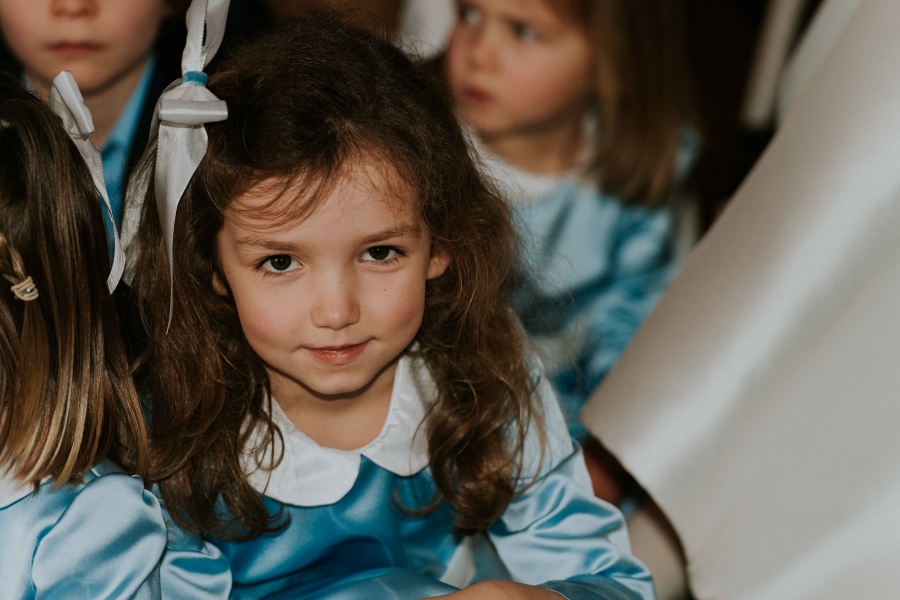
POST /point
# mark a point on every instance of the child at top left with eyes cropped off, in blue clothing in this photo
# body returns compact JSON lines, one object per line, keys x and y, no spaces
{"x":110,"y":46}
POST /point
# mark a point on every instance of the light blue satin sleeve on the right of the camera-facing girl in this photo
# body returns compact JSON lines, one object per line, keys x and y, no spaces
{"x":557,"y":535}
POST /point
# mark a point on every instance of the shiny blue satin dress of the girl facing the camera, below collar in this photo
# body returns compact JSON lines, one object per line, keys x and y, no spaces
{"x":364,"y":542}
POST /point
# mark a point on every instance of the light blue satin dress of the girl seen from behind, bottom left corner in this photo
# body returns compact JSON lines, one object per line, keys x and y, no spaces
{"x":99,"y":540}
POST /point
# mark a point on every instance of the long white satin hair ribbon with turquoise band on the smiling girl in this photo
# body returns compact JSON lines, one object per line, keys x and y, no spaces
{"x":183,"y":109}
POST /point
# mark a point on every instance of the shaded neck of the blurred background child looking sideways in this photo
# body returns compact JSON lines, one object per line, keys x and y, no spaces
{"x":553,"y":149}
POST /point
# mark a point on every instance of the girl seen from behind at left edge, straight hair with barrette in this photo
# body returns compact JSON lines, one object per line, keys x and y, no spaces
{"x":75,"y":520}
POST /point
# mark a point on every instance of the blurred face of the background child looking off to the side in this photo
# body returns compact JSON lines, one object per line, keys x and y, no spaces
{"x":516,"y":65}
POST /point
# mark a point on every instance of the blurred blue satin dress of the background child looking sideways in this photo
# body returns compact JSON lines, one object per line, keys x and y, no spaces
{"x":594,"y":268}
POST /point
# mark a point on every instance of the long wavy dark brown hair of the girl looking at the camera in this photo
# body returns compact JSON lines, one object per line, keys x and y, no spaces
{"x":303,"y":100}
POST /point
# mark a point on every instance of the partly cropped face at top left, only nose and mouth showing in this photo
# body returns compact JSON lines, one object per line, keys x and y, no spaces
{"x":98,"y":40}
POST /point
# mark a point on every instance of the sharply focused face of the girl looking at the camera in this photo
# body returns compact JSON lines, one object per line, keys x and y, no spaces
{"x":329,"y":302}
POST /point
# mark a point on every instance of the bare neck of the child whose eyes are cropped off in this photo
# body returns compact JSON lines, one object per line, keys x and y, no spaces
{"x":106,"y":104}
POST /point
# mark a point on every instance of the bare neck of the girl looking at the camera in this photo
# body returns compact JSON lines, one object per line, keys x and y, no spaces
{"x":345,"y":421}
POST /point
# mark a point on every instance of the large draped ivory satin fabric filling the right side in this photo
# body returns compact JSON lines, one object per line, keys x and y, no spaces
{"x":759,"y":403}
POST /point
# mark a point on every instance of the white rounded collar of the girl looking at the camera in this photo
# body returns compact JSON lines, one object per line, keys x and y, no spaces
{"x":314,"y":475}
